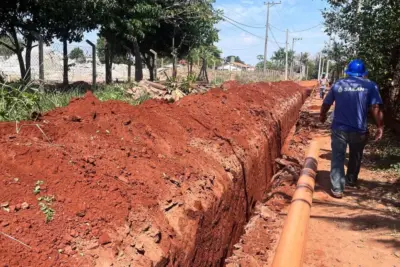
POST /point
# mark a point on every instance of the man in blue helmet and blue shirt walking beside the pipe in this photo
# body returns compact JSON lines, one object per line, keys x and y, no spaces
{"x":354,"y":97}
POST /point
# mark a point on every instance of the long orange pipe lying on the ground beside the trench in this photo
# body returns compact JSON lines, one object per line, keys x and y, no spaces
{"x":292,"y":242}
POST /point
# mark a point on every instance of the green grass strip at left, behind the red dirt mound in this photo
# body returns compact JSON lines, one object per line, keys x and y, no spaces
{"x":19,"y":101}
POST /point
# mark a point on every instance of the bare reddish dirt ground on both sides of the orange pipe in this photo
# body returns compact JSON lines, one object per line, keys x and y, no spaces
{"x":360,"y":230}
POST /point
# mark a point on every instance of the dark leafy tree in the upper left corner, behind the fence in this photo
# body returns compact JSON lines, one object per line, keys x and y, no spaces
{"x":26,"y":20}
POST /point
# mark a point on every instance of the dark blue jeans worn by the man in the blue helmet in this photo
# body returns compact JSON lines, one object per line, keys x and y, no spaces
{"x":356,"y":142}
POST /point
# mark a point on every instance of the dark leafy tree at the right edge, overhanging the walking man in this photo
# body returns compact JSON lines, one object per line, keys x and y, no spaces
{"x":371,"y":33}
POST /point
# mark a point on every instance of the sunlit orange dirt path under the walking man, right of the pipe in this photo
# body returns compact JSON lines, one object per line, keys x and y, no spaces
{"x":362,"y":229}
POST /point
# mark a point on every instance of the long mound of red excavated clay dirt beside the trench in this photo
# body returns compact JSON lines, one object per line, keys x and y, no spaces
{"x":155,"y":185}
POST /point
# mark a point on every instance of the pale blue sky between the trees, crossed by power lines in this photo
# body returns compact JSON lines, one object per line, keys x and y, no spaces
{"x":294,"y":15}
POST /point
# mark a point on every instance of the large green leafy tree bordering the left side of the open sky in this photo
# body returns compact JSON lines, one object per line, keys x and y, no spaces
{"x":170,"y":27}
